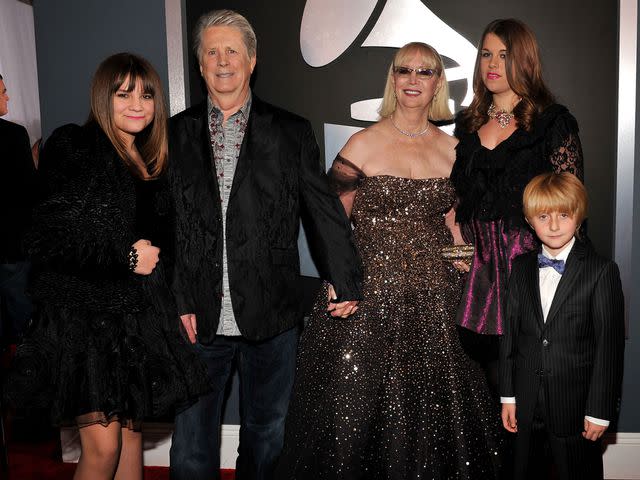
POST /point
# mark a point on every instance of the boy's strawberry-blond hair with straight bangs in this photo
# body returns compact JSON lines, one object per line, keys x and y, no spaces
{"x":555,"y":192}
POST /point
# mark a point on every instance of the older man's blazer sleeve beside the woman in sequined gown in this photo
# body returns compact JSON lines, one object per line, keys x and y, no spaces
{"x":328,"y":228}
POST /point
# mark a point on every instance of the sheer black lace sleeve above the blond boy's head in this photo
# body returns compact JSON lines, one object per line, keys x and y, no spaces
{"x":565,"y":150}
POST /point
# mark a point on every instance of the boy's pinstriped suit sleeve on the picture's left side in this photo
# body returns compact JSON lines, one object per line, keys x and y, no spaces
{"x":508,"y":340}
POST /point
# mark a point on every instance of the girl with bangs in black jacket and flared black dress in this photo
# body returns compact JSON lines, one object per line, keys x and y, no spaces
{"x":105,"y":351}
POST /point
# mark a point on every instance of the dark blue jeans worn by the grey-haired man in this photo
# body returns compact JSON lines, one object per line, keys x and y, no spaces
{"x":266,"y":371}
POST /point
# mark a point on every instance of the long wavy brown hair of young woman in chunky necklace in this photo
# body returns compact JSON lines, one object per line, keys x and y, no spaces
{"x":524,"y":74}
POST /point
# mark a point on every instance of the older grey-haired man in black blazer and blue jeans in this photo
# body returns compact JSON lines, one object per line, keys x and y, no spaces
{"x":243,"y":172}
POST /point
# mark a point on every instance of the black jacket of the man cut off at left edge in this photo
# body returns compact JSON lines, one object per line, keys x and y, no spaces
{"x":17,"y":190}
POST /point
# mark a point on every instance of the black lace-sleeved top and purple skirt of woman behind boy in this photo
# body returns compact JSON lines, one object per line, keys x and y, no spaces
{"x":489,"y":185}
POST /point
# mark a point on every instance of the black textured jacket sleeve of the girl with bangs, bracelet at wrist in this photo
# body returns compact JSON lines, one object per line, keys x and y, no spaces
{"x":72,"y":226}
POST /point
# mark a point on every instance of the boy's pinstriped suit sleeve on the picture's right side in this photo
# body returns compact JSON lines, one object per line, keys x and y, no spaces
{"x":607,"y":308}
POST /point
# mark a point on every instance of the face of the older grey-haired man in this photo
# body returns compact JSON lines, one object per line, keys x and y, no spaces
{"x":225,"y":64}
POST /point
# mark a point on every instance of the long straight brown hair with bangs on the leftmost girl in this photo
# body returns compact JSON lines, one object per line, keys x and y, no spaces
{"x":108,"y":79}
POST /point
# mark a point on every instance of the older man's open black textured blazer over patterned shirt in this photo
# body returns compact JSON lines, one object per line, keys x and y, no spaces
{"x":279,"y":178}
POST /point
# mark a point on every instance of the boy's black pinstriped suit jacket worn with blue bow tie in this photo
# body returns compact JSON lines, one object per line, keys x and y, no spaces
{"x":577,"y":354}
